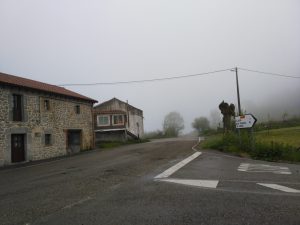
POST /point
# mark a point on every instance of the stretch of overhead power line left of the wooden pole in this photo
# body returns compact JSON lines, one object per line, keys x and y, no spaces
{"x":148,"y":80}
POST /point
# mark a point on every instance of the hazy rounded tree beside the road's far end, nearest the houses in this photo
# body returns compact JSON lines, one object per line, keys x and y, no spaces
{"x":173,"y":124}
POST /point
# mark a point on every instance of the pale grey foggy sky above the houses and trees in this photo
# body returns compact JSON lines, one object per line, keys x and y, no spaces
{"x":77,"y":41}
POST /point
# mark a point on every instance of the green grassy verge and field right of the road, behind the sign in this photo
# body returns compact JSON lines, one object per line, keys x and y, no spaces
{"x":276,"y":141}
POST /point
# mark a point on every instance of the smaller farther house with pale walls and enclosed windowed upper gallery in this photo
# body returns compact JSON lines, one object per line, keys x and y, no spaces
{"x":117,"y":120}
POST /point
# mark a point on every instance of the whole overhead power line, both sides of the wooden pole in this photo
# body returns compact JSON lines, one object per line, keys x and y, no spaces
{"x":178,"y":77}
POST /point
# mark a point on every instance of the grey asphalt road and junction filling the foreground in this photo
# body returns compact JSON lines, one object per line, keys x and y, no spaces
{"x":118,"y":186}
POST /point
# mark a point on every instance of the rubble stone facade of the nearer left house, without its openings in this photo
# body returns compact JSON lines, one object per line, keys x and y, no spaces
{"x":38,"y":121}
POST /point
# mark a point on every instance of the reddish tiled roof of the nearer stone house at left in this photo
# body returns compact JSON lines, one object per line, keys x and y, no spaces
{"x":36,"y":85}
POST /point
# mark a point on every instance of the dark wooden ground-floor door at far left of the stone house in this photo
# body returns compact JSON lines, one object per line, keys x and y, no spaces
{"x":17,"y":148}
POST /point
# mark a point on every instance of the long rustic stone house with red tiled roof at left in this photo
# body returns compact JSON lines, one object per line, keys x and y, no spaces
{"x":39,"y":120}
